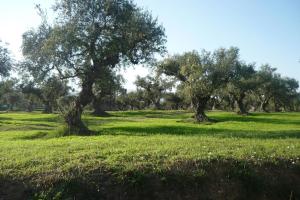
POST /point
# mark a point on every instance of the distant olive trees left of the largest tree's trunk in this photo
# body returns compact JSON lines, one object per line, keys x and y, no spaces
{"x":18,"y":95}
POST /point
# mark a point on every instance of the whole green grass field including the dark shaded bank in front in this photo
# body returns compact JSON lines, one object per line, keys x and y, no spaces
{"x":134,"y":154}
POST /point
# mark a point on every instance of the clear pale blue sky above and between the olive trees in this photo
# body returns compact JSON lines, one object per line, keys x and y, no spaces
{"x":266,"y":31}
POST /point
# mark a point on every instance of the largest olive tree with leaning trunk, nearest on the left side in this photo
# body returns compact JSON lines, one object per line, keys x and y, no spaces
{"x":87,"y":37}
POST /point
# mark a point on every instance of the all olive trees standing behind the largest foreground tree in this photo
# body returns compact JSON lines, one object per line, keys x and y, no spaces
{"x":206,"y":81}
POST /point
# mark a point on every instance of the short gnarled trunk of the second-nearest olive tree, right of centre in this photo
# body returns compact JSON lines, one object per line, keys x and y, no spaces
{"x":199,"y":105}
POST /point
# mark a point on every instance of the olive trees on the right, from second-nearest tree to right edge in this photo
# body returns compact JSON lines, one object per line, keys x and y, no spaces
{"x":222,"y":76}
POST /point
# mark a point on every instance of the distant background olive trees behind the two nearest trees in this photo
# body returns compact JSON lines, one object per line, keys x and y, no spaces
{"x":263,"y":90}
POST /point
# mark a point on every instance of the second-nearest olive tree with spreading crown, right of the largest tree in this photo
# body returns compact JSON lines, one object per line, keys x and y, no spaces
{"x":201,"y":74}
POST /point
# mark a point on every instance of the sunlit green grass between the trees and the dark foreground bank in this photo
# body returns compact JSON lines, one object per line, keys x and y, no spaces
{"x":30,"y":144}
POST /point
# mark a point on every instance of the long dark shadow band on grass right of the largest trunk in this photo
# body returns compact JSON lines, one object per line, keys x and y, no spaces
{"x":201,"y":131}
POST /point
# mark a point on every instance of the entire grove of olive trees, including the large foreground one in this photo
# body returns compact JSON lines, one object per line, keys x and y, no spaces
{"x":90,"y":40}
